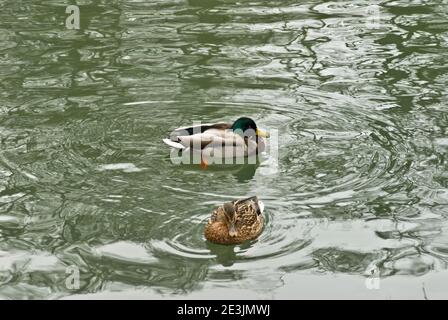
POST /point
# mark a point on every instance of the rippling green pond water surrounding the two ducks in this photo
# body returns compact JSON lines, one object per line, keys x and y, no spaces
{"x":361,"y":180}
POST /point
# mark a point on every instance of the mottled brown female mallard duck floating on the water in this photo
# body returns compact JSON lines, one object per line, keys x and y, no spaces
{"x":235,"y":222}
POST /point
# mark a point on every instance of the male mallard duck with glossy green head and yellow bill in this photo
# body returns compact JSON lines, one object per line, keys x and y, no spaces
{"x":220,"y":140}
